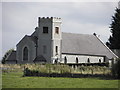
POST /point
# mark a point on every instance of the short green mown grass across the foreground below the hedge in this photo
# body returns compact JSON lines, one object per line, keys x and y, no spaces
{"x":15,"y":80}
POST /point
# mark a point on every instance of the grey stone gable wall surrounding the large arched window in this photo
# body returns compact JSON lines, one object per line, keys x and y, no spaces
{"x":25,"y":42}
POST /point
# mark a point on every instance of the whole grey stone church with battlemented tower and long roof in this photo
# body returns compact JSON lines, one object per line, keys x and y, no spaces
{"x":48,"y":44}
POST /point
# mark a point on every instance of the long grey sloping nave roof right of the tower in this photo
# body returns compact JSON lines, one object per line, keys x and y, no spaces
{"x":85,"y":44}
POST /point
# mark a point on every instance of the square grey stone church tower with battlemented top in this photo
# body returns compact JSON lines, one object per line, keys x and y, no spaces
{"x":49,"y":38}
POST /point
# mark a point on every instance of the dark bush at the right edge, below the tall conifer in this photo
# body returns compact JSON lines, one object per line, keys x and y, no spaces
{"x":116,"y":68}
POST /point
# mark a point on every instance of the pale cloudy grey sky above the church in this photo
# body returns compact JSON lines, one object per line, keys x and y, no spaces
{"x":21,"y":18}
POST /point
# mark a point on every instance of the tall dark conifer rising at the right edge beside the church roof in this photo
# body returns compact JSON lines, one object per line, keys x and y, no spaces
{"x":114,"y":39}
